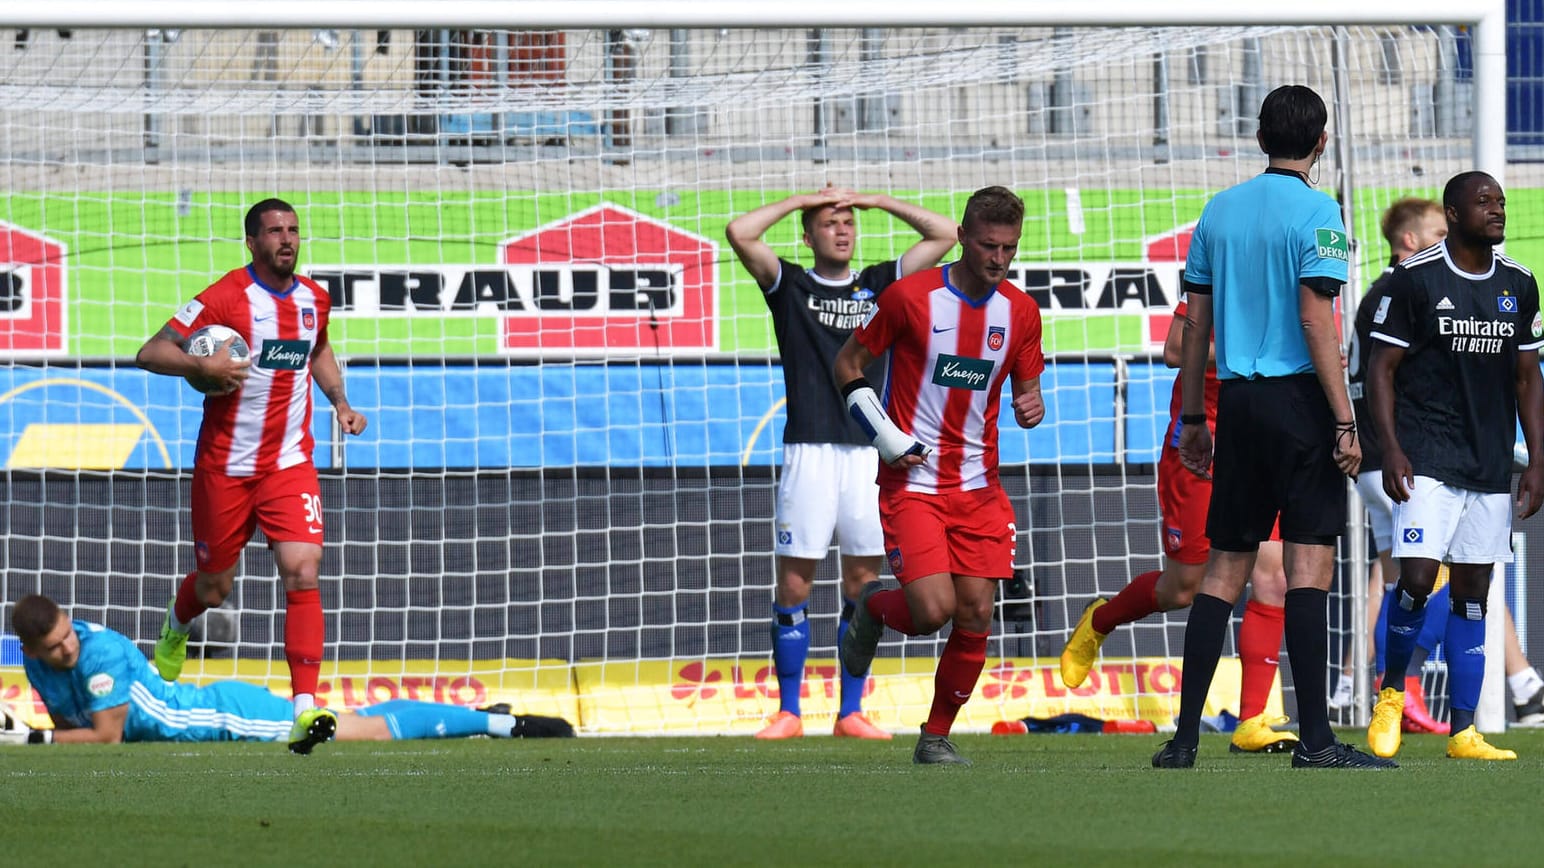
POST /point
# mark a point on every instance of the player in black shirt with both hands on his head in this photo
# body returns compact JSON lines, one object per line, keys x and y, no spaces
{"x":827,"y":484}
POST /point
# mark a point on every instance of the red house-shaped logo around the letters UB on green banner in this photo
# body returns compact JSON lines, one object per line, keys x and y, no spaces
{"x":612,"y":280}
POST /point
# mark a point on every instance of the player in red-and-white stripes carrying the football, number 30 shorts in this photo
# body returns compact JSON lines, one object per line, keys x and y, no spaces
{"x":252,"y":466}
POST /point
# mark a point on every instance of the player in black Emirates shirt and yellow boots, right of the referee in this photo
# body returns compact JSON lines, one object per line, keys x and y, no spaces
{"x":1457,"y":368}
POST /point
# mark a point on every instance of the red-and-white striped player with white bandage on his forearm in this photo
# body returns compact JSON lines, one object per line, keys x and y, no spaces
{"x":953,"y":336}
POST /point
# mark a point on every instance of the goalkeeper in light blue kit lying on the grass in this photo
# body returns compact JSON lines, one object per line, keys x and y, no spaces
{"x":100,"y":688}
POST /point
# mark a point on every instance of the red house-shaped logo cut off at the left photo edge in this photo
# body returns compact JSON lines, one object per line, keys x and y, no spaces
{"x":32,"y":294}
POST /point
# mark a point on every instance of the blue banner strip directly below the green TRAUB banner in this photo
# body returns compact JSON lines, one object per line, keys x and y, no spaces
{"x":428,"y":416}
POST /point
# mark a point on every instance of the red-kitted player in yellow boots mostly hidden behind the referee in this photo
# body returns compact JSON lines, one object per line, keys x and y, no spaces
{"x":1183,"y":500}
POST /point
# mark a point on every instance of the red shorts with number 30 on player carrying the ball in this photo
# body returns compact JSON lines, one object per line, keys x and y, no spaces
{"x":228,"y":509}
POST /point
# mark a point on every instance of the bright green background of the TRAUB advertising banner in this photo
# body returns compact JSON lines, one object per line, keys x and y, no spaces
{"x":134,"y":260}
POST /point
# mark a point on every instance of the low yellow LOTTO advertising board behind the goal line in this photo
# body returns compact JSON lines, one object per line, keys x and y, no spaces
{"x":722,"y":696}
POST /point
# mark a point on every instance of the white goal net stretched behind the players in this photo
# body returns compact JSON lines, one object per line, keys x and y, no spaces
{"x":564,"y":498}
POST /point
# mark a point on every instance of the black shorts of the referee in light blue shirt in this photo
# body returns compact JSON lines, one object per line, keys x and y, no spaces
{"x":1275,"y":455}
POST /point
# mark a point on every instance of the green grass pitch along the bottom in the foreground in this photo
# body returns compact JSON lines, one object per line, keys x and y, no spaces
{"x":1029,"y":801}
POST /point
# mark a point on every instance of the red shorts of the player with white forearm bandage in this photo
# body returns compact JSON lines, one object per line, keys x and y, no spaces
{"x":966,"y":534}
